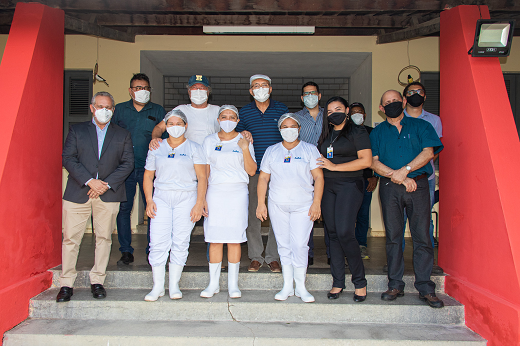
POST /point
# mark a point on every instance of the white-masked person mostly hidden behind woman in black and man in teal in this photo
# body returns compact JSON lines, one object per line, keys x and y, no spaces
{"x":358,"y":116}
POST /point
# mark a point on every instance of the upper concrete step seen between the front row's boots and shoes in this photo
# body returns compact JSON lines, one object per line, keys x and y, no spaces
{"x":198,"y":278}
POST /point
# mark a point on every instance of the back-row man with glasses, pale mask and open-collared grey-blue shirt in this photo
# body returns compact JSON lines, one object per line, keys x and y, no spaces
{"x":311,"y":117}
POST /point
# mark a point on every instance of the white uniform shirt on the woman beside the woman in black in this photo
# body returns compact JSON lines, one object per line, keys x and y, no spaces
{"x":291,"y":182}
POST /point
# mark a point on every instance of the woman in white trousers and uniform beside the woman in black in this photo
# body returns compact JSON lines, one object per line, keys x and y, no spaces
{"x":295,"y":193}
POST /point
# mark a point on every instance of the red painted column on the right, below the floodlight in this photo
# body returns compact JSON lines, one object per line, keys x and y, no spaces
{"x":479,"y":185}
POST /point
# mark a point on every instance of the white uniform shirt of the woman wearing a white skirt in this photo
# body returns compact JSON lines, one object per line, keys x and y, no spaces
{"x":226,"y":163}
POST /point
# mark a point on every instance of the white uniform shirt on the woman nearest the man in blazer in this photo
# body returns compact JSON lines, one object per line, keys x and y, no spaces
{"x":177,"y":171}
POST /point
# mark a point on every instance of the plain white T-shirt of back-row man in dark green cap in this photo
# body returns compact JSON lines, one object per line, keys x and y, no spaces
{"x":202,"y":122}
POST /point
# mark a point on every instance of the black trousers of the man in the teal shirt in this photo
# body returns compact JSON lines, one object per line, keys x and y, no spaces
{"x":394,"y":199}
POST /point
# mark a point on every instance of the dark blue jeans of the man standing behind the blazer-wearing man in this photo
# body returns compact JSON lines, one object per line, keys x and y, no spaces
{"x":124,"y":229}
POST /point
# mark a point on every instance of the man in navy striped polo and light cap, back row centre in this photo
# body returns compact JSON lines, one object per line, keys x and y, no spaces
{"x":260,"y":118}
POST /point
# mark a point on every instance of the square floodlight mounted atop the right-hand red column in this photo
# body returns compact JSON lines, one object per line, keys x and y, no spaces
{"x":493,"y":38}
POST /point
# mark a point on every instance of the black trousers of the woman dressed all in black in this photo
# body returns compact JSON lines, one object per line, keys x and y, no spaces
{"x":342,"y":198}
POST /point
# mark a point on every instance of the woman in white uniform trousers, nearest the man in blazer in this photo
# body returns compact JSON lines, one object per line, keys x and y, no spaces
{"x":179,"y":166}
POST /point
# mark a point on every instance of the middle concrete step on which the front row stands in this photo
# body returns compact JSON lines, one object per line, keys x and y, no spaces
{"x":254,"y":306}
